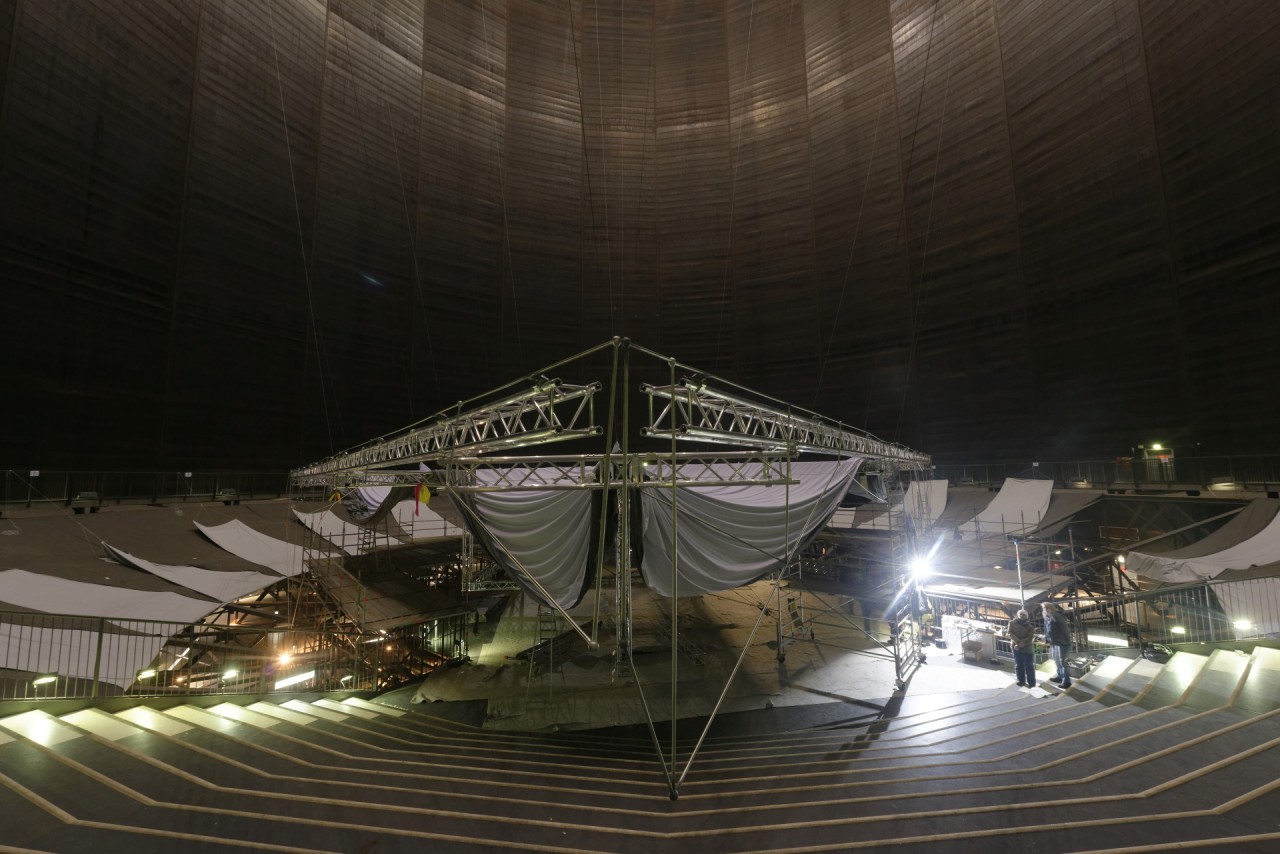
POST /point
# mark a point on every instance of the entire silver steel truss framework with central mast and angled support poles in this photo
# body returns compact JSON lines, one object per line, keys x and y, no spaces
{"x":755,"y":439}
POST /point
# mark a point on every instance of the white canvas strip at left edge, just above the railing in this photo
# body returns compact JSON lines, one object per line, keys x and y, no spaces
{"x":63,"y":596}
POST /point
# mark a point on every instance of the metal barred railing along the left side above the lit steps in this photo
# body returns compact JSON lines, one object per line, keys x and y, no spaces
{"x":45,"y":657}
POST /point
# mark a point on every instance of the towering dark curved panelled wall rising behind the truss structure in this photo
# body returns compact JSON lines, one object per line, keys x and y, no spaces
{"x":254,"y":232}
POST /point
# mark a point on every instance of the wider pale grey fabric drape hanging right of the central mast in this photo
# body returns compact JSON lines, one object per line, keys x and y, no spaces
{"x":730,"y":536}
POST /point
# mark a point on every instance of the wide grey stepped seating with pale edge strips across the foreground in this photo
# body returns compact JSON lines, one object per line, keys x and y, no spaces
{"x":1133,"y":757}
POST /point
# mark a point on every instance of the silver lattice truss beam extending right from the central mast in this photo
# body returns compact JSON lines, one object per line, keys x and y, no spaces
{"x":696,"y":413}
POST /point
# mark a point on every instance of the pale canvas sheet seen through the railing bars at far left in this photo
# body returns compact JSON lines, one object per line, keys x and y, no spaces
{"x":75,"y":652}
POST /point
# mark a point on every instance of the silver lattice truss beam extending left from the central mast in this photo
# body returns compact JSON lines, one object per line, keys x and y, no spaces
{"x":551,"y":412}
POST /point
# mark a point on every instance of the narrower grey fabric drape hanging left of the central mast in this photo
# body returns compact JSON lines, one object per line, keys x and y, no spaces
{"x":548,"y":532}
